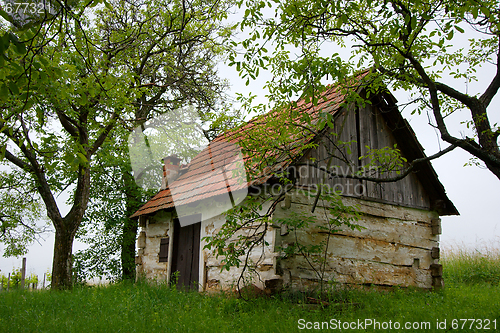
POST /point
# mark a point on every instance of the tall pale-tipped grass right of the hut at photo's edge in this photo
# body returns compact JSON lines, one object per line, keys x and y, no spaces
{"x":472,"y":265}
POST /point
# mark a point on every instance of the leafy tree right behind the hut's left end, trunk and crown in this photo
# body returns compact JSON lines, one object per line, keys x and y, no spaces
{"x":174,"y":64}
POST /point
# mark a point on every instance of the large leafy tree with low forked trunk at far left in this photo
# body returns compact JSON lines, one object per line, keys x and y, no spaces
{"x":66,"y":84}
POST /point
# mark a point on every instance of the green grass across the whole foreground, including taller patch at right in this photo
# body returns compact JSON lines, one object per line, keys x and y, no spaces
{"x":472,"y":291}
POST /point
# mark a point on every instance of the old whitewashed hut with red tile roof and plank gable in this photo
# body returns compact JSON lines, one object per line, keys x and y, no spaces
{"x":399,"y":241}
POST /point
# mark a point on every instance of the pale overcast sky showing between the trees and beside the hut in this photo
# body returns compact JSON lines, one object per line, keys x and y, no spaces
{"x":474,"y":191}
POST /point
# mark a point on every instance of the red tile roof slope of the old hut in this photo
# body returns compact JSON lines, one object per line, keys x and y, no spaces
{"x":205,"y":176}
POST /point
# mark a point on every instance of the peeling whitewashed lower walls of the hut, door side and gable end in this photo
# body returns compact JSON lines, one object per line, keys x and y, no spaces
{"x":396,"y":246}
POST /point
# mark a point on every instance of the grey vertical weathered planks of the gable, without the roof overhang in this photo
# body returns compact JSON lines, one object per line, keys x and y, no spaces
{"x":359,"y":130}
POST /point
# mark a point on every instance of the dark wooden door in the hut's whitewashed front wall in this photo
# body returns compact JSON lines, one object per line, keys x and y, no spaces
{"x":186,"y":255}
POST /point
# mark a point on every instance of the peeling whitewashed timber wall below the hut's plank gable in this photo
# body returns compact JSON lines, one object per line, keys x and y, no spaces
{"x":394,"y":247}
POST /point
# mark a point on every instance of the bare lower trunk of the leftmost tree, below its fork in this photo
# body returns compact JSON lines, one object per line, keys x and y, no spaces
{"x":62,"y":267}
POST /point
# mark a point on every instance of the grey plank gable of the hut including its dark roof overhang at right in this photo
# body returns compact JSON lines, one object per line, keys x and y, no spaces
{"x":375,"y":126}
